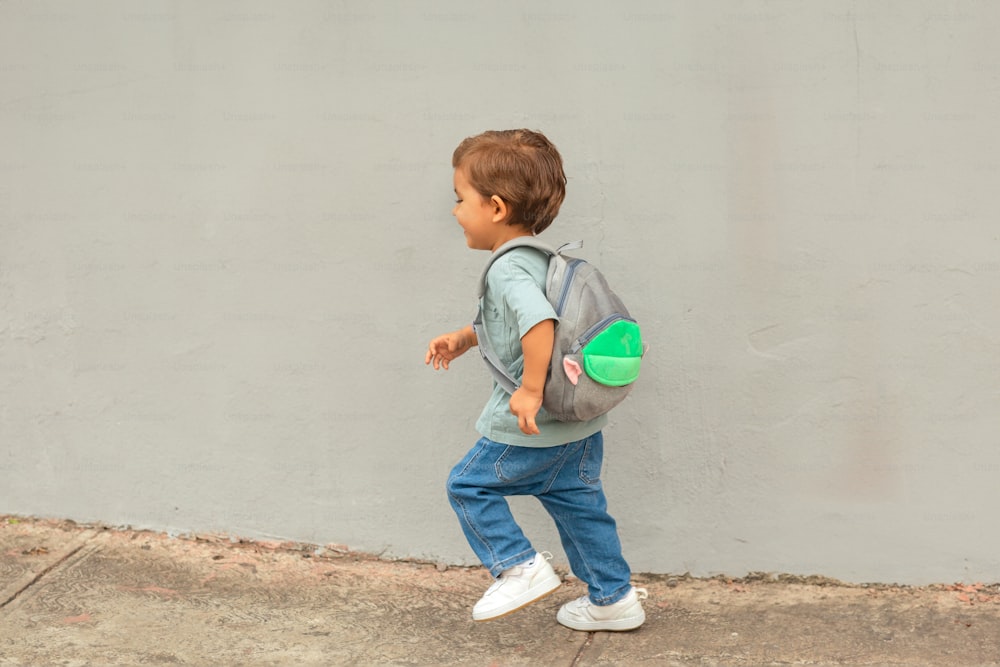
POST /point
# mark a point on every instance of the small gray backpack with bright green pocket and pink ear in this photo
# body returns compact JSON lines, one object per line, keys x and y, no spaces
{"x":598,"y":346}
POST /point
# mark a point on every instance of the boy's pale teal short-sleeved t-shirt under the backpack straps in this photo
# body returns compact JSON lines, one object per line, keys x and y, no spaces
{"x":514,"y":302}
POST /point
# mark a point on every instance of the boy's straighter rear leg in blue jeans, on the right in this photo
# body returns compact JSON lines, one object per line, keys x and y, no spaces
{"x":589,"y":534}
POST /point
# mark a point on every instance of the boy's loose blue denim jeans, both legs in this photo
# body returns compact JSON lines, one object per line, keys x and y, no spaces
{"x":567,"y":481}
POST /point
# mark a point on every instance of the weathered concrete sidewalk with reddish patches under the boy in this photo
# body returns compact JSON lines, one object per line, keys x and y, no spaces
{"x":73,"y":595}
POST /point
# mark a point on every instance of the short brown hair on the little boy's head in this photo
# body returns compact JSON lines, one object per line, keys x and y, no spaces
{"x":522,"y":167}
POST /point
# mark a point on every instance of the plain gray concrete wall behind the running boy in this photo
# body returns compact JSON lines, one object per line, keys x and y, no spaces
{"x":225,"y":238}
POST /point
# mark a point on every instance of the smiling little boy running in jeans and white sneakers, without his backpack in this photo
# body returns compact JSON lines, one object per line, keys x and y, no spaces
{"x":511,"y":183}
